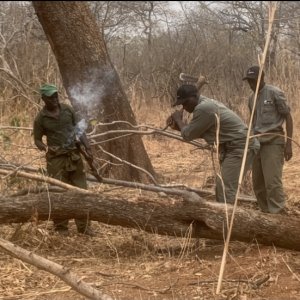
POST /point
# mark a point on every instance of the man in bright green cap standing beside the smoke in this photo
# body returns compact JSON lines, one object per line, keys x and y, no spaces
{"x":57,"y":122}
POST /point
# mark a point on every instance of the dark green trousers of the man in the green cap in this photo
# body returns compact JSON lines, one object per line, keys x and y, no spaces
{"x":68,"y":168}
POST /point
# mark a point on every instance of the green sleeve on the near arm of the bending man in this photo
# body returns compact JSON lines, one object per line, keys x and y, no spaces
{"x":200,"y":123}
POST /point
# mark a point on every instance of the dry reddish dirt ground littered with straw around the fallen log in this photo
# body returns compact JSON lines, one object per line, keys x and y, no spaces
{"x":130,"y":264}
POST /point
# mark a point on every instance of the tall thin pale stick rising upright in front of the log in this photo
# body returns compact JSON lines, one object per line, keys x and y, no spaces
{"x":272,"y":10}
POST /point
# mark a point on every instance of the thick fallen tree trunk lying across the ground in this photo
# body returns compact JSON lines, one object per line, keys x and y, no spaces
{"x":164,"y":217}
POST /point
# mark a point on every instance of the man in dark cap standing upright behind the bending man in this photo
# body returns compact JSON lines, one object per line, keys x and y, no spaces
{"x":271,"y":111}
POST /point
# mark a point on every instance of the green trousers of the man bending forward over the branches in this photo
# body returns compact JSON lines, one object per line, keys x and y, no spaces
{"x":226,"y":187}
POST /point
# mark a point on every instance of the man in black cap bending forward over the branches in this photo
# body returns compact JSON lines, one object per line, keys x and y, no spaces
{"x":232,"y":133}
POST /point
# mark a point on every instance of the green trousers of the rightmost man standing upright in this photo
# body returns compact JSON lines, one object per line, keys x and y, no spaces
{"x":267,"y":177}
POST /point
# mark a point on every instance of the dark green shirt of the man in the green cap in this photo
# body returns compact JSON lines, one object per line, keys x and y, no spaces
{"x":60,"y":132}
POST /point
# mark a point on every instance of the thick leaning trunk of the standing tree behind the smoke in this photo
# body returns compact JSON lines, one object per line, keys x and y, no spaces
{"x":92,"y":83}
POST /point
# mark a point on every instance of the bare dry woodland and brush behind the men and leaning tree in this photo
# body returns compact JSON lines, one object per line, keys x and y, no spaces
{"x":150,"y":43}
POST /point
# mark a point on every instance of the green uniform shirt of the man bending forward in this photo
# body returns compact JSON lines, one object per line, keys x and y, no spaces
{"x":233,"y":131}
